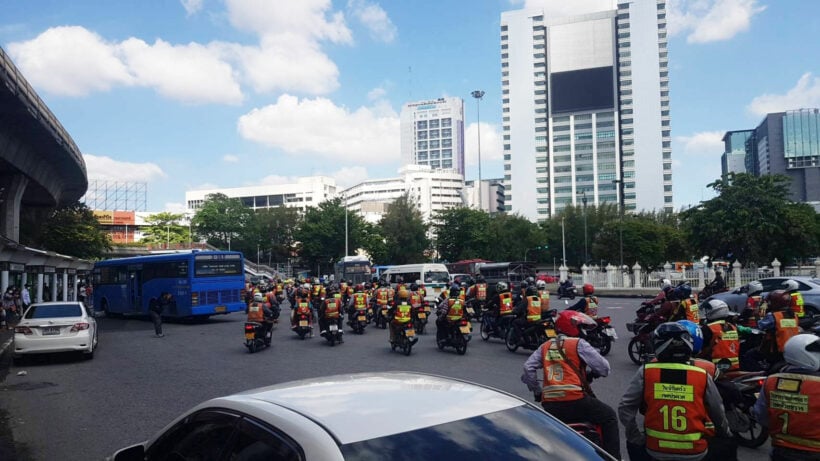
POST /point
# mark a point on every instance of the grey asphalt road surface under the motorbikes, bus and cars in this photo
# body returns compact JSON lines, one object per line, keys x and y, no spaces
{"x":67,"y":408}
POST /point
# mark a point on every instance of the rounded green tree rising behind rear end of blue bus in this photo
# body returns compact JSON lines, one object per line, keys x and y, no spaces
{"x":225,"y":222}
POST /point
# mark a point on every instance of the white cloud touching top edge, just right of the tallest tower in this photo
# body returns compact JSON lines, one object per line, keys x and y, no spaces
{"x":711,"y":20}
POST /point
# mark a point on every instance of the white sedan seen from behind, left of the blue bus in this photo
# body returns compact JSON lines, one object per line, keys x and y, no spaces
{"x":55,"y":327}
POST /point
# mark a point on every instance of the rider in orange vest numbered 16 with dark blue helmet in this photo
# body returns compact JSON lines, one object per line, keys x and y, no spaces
{"x":681,"y":405}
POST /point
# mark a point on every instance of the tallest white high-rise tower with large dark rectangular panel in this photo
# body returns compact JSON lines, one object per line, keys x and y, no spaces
{"x":585,"y":106}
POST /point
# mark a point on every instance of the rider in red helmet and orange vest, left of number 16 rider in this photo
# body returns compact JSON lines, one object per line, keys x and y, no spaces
{"x":566,"y":393}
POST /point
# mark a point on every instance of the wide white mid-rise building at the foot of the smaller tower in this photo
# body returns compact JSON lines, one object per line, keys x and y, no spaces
{"x":432,"y":190}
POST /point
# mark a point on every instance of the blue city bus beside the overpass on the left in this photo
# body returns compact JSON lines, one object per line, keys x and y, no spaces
{"x":202,"y":283}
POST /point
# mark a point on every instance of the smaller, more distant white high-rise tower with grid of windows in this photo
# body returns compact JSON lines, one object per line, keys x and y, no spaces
{"x":432,"y":133}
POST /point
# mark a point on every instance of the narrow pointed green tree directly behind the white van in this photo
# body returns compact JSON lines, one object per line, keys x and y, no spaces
{"x":405,"y":232}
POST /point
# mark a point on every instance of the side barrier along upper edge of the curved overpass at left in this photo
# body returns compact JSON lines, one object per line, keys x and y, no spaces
{"x":36,"y":107}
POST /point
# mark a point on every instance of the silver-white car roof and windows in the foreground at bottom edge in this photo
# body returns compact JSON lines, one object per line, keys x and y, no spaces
{"x":389,"y":415}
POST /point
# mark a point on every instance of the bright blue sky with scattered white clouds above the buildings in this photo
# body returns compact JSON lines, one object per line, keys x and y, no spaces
{"x":197,"y":94}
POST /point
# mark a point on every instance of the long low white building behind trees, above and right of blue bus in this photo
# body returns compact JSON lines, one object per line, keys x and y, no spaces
{"x":305,"y":192}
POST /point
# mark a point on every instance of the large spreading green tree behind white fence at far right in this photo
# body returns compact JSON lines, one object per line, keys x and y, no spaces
{"x":752,"y":220}
